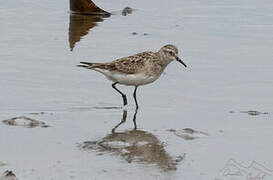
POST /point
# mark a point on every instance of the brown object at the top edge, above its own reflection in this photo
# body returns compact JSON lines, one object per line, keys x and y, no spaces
{"x":87,"y":7}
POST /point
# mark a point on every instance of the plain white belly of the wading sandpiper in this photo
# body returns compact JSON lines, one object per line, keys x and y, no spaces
{"x":132,"y":79}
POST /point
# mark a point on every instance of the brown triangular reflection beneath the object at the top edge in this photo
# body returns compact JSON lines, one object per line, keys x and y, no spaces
{"x":79,"y":26}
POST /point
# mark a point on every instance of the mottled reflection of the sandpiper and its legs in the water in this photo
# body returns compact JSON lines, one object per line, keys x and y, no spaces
{"x":134,"y":146}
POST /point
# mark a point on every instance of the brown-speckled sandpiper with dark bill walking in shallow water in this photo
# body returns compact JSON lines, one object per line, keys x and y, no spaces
{"x":136,"y":70}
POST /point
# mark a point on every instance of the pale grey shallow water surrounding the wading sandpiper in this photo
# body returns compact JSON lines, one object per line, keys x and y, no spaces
{"x":227,"y":46}
